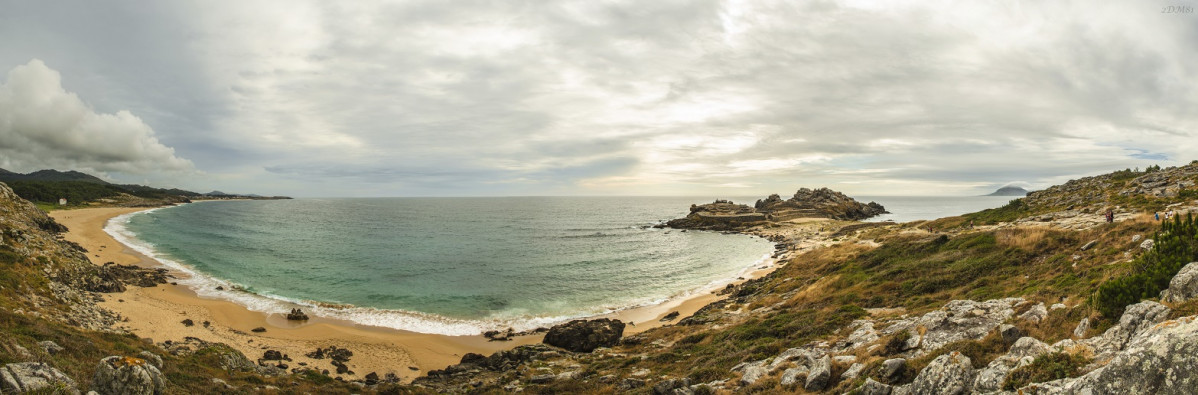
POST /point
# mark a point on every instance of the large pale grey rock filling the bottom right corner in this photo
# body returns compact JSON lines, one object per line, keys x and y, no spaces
{"x":1163,"y":360}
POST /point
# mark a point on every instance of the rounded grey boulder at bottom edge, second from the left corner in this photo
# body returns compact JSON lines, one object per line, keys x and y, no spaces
{"x":128,"y":376}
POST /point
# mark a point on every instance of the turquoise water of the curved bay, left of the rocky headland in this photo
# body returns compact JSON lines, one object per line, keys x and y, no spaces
{"x":450,"y":266}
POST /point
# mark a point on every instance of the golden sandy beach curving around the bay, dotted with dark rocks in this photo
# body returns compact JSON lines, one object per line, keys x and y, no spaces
{"x":158,"y":313}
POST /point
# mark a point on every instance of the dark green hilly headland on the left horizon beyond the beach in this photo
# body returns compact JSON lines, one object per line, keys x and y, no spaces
{"x":76,"y":189}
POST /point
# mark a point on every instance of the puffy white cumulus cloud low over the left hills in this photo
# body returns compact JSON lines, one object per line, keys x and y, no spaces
{"x":44,"y":126}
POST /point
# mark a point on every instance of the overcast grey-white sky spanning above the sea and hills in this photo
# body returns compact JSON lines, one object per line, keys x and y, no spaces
{"x":723,"y":99}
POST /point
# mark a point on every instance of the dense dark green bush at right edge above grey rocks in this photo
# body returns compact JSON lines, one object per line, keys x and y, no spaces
{"x":1176,"y":246}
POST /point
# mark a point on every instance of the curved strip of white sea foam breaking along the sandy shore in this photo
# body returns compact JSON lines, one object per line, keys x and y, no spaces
{"x":208,"y":287}
